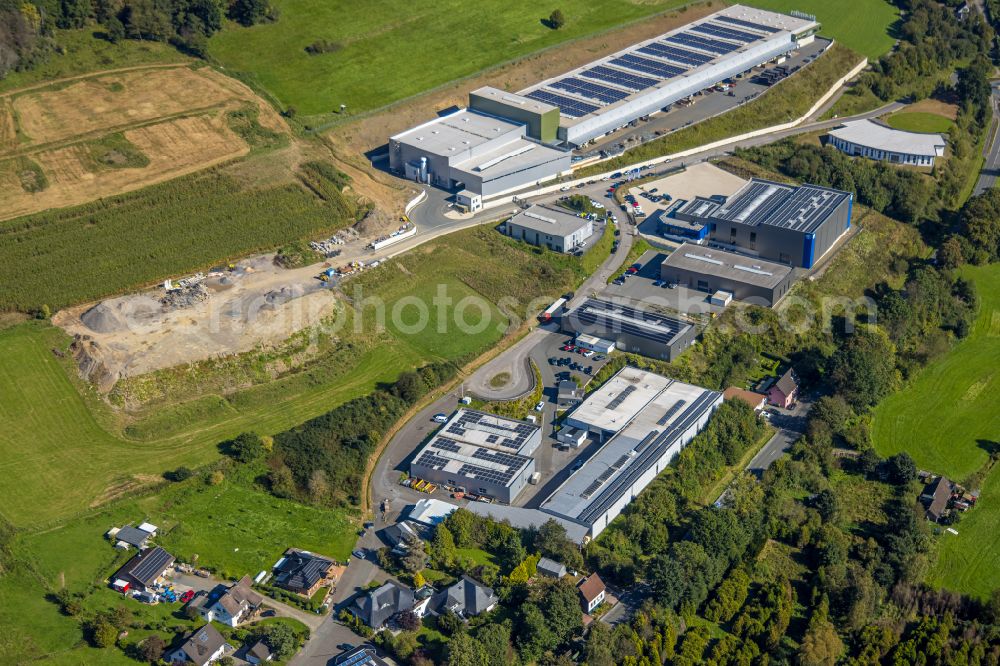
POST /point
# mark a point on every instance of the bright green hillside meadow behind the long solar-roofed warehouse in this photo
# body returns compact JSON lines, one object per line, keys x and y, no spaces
{"x":394,"y":50}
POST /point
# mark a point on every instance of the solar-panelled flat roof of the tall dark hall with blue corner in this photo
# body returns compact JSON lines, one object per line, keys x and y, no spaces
{"x":764,"y":202}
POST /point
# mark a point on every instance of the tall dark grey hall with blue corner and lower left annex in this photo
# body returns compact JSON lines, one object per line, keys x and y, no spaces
{"x":789,"y":224}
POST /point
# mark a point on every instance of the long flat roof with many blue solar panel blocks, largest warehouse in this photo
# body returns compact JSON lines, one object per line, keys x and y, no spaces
{"x":614,"y":80}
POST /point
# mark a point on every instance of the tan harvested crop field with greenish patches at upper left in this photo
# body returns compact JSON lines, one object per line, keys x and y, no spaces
{"x":110,"y":133}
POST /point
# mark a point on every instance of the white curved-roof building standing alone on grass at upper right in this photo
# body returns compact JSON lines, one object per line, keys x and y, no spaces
{"x":866,"y":138}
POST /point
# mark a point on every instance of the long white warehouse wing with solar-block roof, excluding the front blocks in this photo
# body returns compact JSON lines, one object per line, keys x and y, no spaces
{"x":612,"y":92}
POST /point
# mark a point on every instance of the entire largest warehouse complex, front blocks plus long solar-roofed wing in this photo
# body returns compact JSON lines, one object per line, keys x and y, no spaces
{"x":506,"y":141}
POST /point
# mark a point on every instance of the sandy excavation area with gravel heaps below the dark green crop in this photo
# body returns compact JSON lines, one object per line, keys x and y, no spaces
{"x":229,"y":312}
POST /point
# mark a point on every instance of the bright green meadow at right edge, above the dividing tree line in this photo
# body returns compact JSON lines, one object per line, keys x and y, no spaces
{"x":947,"y":417}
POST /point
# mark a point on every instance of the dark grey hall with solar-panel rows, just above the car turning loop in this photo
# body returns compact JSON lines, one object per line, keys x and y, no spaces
{"x":631,"y":329}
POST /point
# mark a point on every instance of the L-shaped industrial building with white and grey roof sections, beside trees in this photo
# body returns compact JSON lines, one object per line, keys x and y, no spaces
{"x":643,"y":420}
